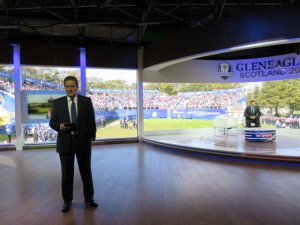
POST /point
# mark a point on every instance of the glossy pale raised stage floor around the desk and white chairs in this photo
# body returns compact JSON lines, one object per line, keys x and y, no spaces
{"x":286,"y":145}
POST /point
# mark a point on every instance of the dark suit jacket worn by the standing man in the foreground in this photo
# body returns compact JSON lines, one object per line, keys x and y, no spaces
{"x":85,"y":122}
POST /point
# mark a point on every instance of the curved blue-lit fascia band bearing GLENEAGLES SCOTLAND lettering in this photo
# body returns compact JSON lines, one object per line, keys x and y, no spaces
{"x":282,"y":67}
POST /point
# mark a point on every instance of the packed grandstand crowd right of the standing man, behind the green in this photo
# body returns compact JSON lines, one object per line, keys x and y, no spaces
{"x":203,"y":100}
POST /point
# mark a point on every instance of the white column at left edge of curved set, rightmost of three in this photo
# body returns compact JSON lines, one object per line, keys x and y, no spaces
{"x":140,"y":95}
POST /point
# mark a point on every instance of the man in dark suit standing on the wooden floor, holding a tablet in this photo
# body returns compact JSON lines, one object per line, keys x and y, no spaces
{"x":74,"y":140}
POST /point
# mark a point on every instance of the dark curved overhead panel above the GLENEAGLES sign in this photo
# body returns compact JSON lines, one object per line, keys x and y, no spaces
{"x":251,"y":27}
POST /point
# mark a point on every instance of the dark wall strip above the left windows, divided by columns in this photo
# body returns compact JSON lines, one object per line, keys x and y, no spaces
{"x":63,"y":54}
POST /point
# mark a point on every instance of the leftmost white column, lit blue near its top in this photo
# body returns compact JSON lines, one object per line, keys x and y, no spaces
{"x":18,"y":105}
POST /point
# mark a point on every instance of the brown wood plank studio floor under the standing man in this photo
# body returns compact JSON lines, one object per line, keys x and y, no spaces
{"x":137,"y":184}
